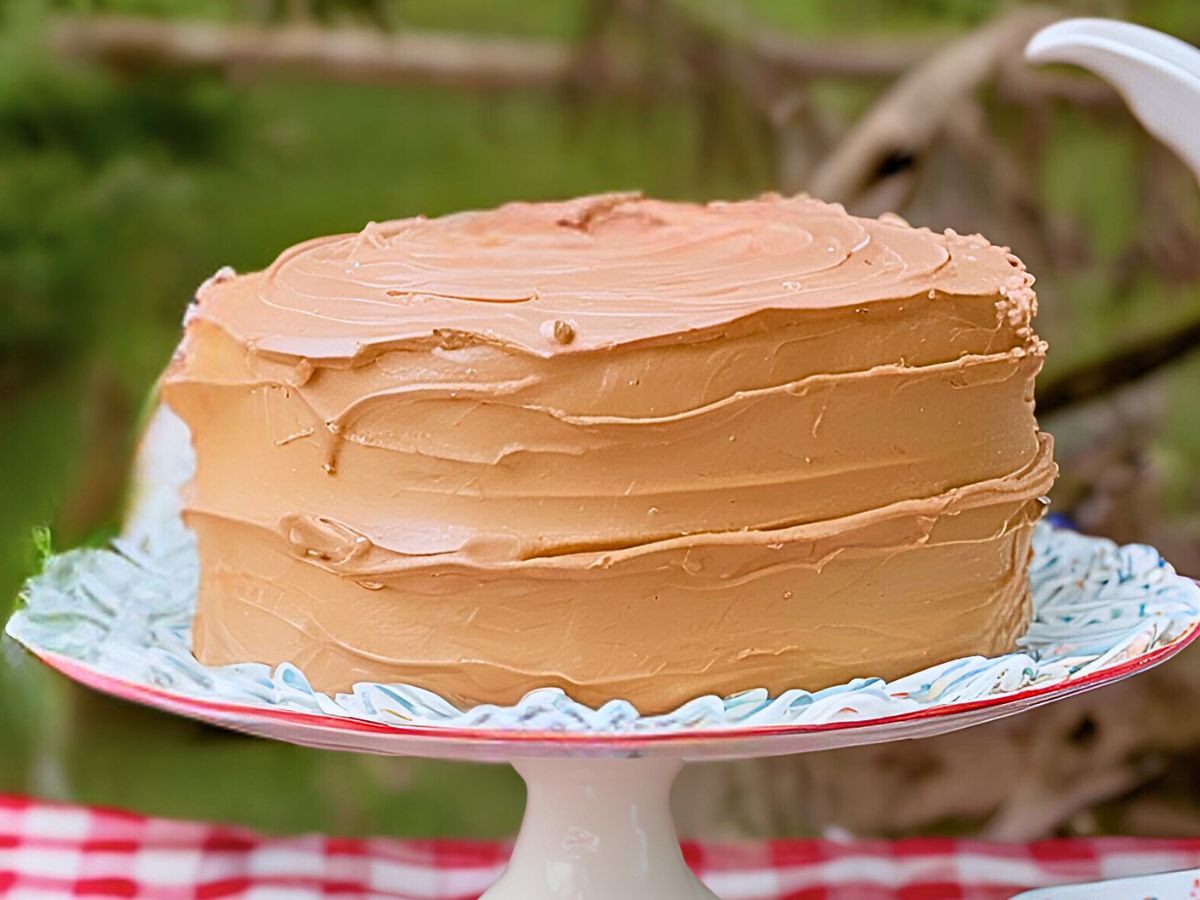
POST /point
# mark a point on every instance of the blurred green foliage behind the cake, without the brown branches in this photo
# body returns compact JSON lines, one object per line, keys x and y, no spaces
{"x":119,"y":194}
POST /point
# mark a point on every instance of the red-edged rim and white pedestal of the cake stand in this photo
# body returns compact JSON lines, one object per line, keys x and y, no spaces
{"x":598,"y":821}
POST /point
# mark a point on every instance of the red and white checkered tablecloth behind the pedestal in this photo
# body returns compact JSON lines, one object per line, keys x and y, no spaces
{"x":58,"y":851}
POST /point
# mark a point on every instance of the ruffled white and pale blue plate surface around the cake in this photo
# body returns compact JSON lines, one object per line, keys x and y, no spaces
{"x":125,"y":614}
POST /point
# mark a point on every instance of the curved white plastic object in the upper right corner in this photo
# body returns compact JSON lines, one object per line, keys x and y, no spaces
{"x":1157,"y":75}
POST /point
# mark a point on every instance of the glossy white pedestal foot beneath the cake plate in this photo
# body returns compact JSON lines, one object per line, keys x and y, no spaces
{"x":598,"y":830}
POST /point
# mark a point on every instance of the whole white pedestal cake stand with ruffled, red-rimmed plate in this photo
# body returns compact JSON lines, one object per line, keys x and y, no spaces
{"x":598,"y":823}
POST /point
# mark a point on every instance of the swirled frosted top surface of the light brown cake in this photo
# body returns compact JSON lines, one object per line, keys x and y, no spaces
{"x":593,"y":273}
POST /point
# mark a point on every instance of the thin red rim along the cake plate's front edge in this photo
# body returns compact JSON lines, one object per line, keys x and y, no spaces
{"x":221,"y":712}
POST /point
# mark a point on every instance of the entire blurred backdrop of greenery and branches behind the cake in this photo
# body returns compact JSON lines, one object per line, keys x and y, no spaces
{"x":146,"y":143}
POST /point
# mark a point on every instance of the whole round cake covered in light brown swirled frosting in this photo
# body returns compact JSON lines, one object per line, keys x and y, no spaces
{"x":627,"y":448}
